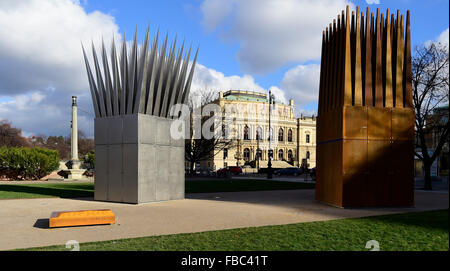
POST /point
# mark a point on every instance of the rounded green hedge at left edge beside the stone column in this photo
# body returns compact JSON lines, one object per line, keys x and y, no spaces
{"x":22,"y":163}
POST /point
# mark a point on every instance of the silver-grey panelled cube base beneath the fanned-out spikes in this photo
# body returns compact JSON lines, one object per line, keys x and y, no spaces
{"x":136,"y":160}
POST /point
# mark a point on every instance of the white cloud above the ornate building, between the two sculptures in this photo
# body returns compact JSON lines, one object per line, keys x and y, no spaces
{"x":272,"y":33}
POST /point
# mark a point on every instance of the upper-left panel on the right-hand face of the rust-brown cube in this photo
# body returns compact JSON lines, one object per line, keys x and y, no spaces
{"x":355,"y":122}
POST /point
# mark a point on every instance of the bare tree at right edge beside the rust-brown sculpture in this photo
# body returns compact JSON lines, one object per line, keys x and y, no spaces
{"x":430,"y":82}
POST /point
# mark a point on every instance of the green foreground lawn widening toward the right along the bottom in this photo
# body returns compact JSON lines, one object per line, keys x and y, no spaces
{"x":411,"y":231}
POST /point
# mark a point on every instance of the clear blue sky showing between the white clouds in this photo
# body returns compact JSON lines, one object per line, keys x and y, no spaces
{"x":429,"y":19}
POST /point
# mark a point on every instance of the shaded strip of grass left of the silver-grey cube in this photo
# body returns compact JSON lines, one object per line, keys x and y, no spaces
{"x":64,"y":191}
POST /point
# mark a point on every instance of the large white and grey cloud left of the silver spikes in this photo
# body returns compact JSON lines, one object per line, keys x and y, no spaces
{"x":41,"y":62}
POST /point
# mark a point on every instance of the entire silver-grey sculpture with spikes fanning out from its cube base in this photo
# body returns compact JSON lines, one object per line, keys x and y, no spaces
{"x":136,"y":159}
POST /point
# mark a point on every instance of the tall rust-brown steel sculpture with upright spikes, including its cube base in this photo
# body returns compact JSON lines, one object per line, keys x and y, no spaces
{"x":365,"y":127}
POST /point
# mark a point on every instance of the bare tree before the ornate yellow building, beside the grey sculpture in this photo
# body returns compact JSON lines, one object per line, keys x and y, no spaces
{"x":201,"y":149}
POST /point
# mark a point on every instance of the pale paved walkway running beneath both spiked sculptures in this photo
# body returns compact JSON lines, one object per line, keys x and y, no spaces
{"x":24,"y":222}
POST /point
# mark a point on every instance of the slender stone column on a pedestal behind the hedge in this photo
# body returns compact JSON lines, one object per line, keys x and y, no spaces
{"x":74,"y":172}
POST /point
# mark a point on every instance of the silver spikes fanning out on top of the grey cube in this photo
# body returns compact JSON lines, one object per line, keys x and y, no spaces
{"x":148,"y":82}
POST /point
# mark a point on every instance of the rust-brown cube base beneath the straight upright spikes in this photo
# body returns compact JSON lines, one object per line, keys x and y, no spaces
{"x":365,"y":157}
